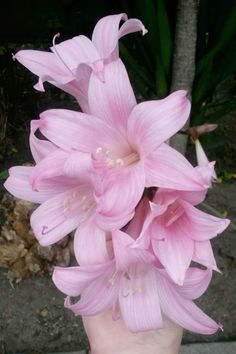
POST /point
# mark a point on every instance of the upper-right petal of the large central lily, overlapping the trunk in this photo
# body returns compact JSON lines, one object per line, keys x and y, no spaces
{"x":153,"y":122}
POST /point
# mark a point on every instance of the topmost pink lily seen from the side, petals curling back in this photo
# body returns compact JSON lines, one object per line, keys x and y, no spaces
{"x":71,"y":62}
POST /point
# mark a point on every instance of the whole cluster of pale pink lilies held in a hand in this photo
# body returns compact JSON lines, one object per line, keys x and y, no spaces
{"x":109,"y":175}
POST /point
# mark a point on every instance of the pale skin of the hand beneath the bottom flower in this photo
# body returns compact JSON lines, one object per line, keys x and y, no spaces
{"x":111,"y":337}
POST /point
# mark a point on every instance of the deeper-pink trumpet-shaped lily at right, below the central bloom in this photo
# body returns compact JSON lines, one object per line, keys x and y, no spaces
{"x":179,"y":233}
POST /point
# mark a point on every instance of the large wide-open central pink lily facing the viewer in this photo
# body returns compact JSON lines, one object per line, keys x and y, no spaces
{"x":126,"y":143}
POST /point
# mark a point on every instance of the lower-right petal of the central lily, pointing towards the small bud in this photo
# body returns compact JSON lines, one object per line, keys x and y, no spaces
{"x":167,"y":168}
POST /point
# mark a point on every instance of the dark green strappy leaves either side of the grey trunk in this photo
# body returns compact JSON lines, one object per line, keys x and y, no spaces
{"x":214,"y":89}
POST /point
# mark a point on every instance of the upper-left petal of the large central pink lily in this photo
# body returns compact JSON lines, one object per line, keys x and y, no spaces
{"x":72,"y":131}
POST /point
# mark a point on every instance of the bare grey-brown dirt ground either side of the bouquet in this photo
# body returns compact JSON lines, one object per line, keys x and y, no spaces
{"x":33,"y":320}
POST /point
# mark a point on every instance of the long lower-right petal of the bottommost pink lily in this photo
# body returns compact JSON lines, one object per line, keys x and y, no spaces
{"x":183,"y":311}
